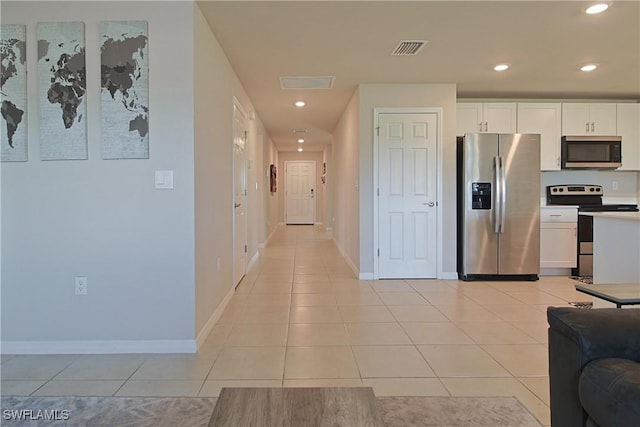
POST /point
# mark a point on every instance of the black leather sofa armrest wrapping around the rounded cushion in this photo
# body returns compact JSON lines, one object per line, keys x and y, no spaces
{"x":576,"y":337}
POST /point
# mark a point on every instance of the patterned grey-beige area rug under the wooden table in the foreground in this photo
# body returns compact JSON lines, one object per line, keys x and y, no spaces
{"x":196,"y":412}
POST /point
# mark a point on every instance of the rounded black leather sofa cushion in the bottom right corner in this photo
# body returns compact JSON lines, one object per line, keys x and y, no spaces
{"x":610,"y":391}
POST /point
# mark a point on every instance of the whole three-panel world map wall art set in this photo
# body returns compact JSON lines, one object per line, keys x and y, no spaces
{"x":62,"y":89}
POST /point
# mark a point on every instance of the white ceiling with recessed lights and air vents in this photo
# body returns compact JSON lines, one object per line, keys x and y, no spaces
{"x":546,"y":42}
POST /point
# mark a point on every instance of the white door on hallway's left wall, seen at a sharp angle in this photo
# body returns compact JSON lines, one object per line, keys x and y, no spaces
{"x":239,"y":195}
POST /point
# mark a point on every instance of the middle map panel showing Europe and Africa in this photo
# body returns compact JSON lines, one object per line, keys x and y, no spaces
{"x":62,"y":87}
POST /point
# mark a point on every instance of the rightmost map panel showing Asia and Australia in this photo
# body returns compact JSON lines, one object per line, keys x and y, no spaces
{"x":124,"y":90}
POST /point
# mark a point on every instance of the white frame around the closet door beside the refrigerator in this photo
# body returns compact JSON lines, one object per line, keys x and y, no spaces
{"x":438,"y":111}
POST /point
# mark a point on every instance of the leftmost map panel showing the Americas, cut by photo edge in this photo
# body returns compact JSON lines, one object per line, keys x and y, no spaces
{"x":13,"y":92}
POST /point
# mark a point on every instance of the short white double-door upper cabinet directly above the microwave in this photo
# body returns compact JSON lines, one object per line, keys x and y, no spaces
{"x":589,"y":119}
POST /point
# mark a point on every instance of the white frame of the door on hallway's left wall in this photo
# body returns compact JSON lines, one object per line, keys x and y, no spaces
{"x":237,"y":105}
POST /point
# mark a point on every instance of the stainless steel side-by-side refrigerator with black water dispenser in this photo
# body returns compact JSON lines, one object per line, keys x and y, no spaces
{"x":498,"y":206}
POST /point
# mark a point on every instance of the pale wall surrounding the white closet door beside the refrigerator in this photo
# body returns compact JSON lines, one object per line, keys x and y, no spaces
{"x":408,"y":95}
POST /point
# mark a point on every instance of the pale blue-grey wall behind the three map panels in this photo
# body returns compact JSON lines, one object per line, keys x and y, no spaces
{"x":103,"y":218}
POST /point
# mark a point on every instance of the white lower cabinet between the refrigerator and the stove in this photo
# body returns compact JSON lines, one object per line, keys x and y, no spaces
{"x":558,"y":237}
